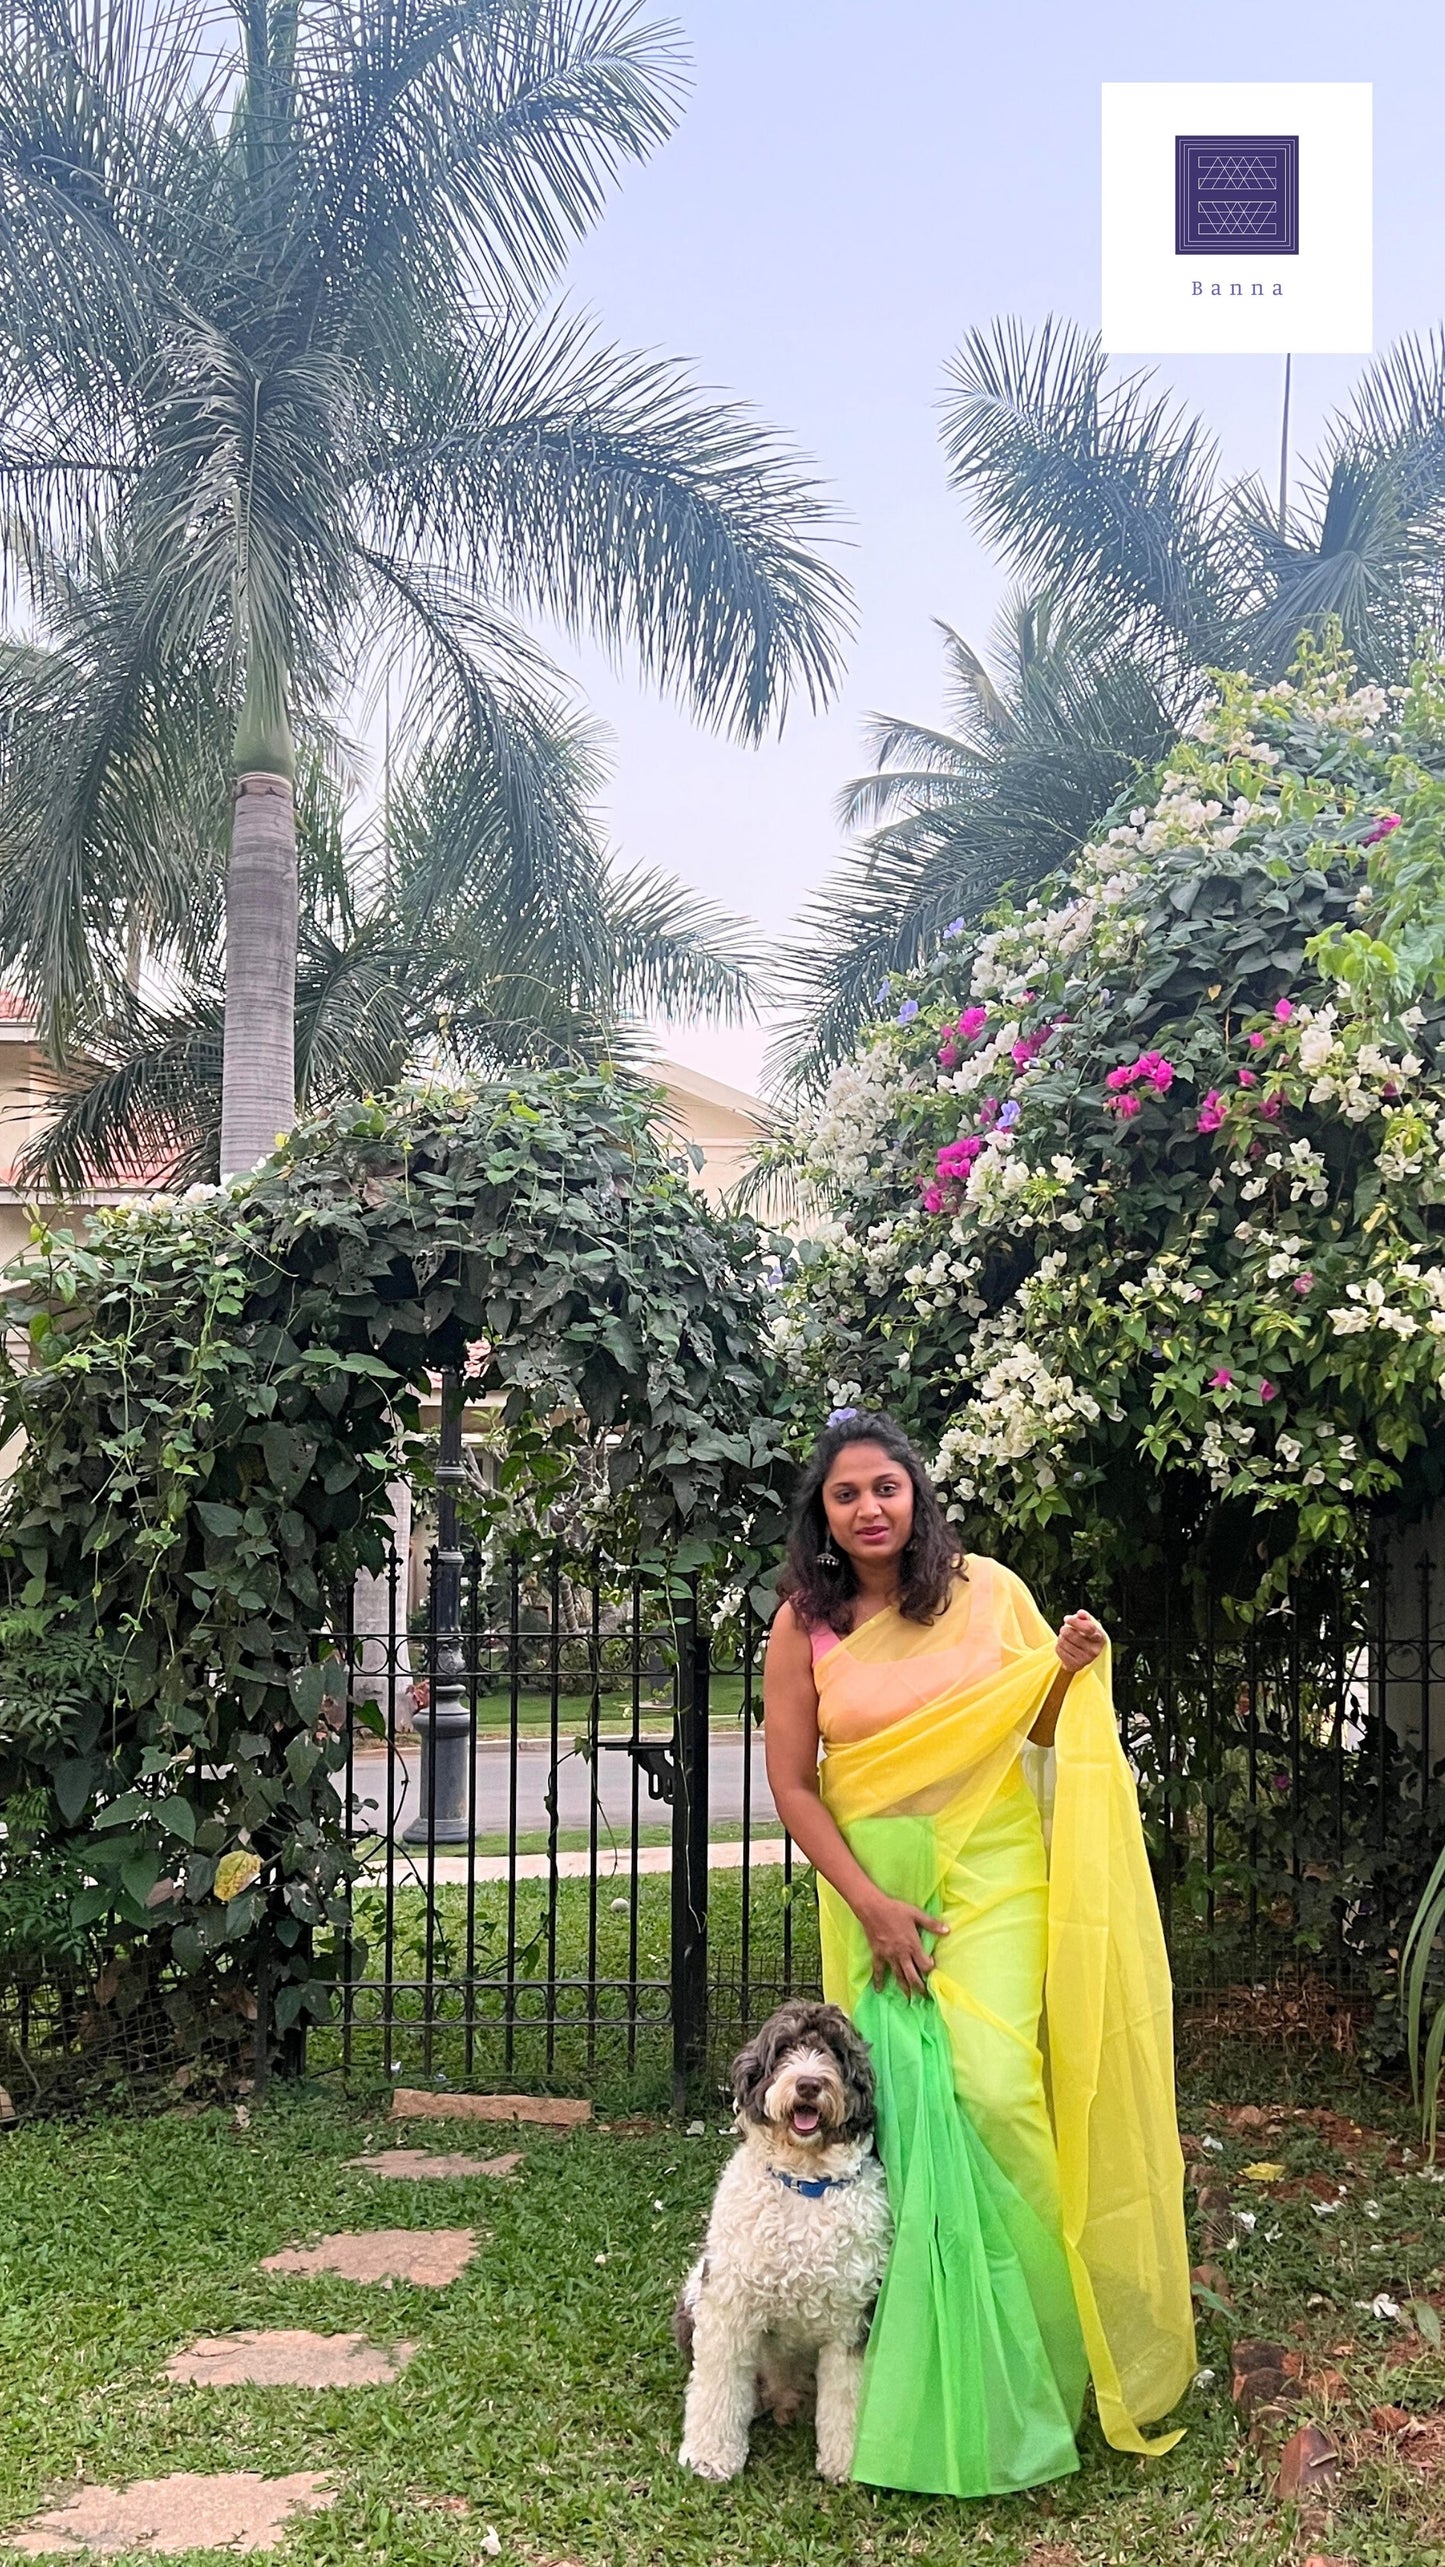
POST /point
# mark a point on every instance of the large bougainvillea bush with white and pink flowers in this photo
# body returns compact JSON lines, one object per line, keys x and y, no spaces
{"x":1138,"y":1195}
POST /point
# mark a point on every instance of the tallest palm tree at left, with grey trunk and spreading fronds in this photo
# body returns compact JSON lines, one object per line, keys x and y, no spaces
{"x":286,"y":404}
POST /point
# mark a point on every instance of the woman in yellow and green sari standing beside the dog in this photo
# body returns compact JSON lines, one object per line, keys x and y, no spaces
{"x":989,"y":1924}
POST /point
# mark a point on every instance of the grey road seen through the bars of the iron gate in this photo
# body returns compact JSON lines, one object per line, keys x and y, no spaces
{"x":574,"y":1790}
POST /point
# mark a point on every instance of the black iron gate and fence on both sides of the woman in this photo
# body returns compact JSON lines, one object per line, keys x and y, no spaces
{"x":584,"y":1878}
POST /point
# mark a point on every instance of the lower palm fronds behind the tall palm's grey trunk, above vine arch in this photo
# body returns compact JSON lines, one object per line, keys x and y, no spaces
{"x":425,"y":946}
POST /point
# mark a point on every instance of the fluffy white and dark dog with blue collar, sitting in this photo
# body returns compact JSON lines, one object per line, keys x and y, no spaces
{"x":797,"y":2242}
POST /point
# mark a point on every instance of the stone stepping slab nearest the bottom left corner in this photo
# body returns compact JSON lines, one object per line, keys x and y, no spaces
{"x":160,"y":2517}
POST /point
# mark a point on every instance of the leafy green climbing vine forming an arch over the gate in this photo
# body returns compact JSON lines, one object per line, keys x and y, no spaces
{"x":209,"y":1405}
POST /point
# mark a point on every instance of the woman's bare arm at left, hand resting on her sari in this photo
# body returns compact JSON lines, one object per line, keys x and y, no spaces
{"x":792,"y":1739}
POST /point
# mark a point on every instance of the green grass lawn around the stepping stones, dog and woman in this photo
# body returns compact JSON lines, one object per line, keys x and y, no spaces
{"x":548,"y":2396}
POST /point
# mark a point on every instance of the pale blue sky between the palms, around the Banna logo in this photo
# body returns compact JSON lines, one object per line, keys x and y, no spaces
{"x":851,"y":191}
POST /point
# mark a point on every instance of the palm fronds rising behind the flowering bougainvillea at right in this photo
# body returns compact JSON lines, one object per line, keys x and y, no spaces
{"x":1141,"y":571}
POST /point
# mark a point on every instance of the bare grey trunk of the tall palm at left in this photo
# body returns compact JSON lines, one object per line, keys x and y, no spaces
{"x":258,"y":1077}
